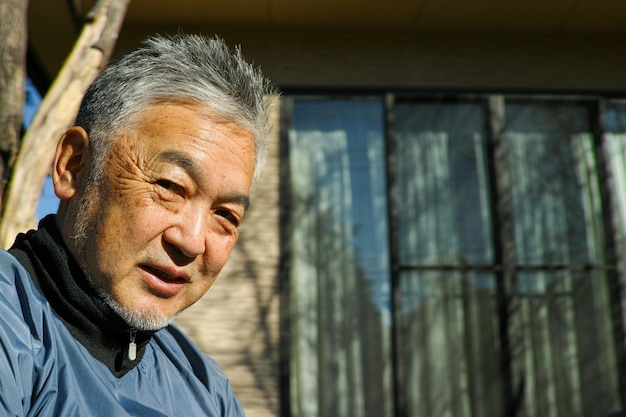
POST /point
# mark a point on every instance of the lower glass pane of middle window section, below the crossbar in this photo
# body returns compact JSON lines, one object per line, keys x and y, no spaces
{"x":448,"y":348}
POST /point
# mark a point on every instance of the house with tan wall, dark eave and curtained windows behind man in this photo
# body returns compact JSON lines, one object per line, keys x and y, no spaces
{"x":441,"y":225}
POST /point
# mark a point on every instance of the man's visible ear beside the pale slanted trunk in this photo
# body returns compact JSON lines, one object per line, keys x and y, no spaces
{"x":70,"y":158}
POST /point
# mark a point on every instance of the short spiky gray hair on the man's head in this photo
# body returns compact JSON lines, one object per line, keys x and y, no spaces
{"x":184,"y":68}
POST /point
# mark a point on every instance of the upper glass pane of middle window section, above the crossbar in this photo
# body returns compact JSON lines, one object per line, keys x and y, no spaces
{"x":443,"y":203}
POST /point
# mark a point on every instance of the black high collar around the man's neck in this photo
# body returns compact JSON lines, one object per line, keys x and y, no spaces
{"x":59,"y":278}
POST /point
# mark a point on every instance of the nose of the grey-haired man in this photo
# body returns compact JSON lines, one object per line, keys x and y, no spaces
{"x":188,"y":233}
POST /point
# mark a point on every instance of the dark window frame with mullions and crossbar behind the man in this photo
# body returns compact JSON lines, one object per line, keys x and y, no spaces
{"x":504,"y":266}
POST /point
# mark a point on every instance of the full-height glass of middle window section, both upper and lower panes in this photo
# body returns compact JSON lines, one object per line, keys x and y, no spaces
{"x":448,"y":352}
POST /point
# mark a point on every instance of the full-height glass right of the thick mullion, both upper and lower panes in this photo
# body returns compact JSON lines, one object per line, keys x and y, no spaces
{"x":567,"y":345}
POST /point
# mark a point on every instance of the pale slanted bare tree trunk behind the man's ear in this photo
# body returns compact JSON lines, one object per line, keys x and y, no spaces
{"x":56,"y":114}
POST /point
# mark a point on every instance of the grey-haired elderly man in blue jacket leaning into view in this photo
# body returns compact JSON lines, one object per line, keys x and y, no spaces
{"x":154,"y":183}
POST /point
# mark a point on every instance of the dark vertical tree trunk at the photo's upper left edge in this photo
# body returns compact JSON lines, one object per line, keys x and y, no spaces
{"x":12,"y":62}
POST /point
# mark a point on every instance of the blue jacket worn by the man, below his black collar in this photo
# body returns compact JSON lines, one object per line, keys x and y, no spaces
{"x":45,"y":371}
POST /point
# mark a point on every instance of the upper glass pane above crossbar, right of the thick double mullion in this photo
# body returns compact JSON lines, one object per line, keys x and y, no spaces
{"x":553,"y":179}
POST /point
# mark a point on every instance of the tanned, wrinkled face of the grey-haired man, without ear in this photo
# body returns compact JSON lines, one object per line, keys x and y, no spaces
{"x":166,"y":215}
